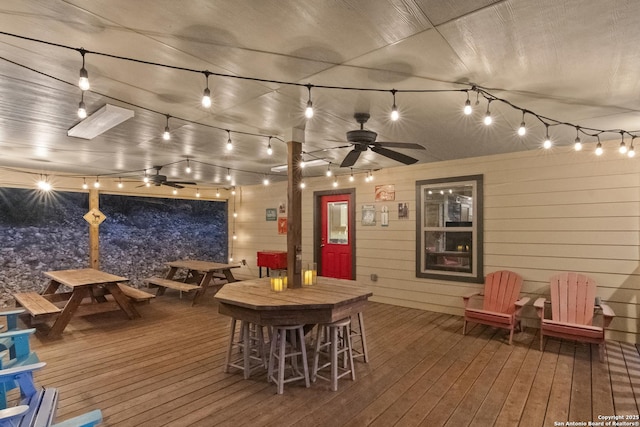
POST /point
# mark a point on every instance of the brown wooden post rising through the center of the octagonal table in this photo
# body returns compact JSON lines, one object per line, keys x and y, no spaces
{"x":294,"y":208}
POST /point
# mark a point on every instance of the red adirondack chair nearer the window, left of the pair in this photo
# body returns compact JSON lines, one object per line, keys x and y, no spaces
{"x":501,"y":307}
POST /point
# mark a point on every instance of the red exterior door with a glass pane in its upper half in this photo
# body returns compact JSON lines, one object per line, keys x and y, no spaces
{"x":336,"y":239}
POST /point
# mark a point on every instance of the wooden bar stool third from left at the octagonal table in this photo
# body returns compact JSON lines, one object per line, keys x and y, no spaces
{"x":333,"y":340}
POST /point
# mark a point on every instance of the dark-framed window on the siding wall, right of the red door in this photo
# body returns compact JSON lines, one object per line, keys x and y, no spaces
{"x":449,"y":229}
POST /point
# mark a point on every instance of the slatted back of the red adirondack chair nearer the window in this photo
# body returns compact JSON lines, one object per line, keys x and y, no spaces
{"x":501,"y":291}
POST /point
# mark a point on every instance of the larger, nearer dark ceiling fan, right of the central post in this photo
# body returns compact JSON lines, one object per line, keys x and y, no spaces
{"x":361,"y":139}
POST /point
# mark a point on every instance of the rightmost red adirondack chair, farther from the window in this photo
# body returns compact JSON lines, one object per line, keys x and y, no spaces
{"x":572,"y":311}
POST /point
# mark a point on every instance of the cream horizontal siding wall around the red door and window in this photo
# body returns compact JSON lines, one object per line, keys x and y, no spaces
{"x":545,"y":212}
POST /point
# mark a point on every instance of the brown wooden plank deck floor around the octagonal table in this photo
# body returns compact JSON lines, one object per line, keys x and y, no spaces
{"x":166,"y":369}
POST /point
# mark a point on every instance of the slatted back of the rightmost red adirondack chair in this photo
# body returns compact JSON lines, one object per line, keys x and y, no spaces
{"x":572,"y":298}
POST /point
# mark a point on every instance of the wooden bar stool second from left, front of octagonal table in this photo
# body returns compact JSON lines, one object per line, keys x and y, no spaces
{"x":287,"y":342}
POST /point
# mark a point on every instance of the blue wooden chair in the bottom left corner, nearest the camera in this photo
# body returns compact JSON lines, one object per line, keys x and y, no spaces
{"x":38,"y":407}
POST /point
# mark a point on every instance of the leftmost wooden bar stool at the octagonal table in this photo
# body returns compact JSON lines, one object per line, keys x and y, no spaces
{"x":250,"y":345}
